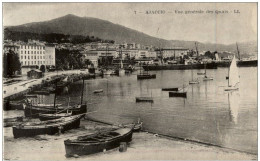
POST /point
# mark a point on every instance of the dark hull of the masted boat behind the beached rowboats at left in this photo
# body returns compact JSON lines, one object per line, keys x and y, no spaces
{"x":32,"y":111}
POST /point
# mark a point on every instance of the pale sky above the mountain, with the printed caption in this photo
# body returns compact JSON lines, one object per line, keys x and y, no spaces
{"x":224,"y":28}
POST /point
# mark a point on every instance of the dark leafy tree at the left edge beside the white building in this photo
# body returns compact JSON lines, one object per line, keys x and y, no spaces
{"x":11,"y":63}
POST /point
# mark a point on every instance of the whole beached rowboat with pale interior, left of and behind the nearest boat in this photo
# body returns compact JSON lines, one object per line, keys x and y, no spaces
{"x":50,"y":127}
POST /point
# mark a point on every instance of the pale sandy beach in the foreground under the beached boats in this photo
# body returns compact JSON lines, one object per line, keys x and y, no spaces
{"x":144,"y":146}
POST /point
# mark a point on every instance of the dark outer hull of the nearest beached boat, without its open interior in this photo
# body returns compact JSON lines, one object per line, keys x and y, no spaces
{"x":74,"y":148}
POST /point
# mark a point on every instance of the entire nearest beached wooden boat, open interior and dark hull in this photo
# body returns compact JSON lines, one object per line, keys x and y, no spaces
{"x":98,"y":142}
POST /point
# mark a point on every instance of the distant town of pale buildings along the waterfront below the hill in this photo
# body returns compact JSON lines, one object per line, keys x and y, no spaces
{"x":35,"y":54}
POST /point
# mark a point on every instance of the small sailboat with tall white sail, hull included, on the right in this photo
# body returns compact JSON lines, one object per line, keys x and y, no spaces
{"x":233,"y":76}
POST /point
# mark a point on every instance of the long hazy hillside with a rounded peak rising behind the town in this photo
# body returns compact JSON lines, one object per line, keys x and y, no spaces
{"x":86,"y":26}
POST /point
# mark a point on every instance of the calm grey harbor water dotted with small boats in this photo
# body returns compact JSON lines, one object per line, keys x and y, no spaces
{"x":209,"y":114}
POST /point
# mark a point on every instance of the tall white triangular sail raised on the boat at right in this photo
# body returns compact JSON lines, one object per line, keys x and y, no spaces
{"x":233,"y":73}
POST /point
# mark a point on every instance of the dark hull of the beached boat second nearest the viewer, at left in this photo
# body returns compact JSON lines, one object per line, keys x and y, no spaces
{"x":25,"y":131}
